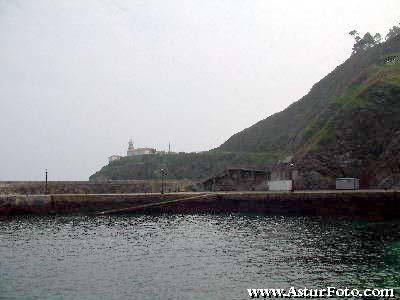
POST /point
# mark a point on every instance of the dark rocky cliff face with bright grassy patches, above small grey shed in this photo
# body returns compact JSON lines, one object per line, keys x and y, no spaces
{"x":353,"y":139}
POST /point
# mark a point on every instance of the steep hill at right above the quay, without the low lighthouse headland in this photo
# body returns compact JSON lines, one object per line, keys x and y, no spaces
{"x":348,"y":125}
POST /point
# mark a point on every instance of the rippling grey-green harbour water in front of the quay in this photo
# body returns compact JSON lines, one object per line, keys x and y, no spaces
{"x":191,"y":256}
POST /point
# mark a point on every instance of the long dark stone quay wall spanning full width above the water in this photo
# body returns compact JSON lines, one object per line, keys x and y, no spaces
{"x":376,"y":205}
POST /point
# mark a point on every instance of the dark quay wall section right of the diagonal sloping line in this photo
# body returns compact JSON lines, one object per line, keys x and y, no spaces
{"x":361,"y":205}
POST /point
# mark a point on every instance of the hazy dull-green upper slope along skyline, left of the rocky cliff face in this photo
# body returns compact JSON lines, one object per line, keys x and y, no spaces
{"x":283,"y":133}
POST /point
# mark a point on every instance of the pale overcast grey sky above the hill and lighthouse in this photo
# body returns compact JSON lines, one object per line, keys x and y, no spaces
{"x":79,"y":78}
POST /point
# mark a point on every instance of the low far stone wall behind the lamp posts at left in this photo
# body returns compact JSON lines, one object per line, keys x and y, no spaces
{"x":92,"y":187}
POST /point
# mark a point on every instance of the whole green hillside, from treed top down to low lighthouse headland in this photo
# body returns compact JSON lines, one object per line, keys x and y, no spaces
{"x":347,"y":125}
